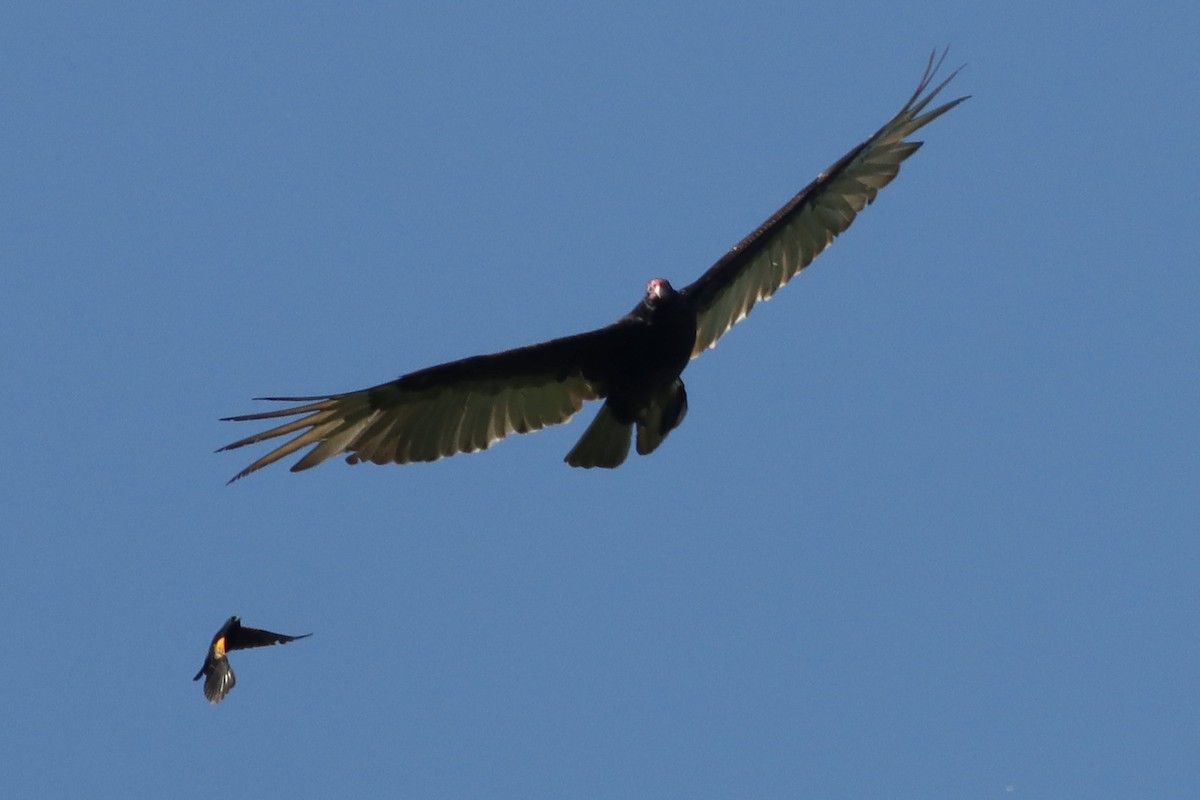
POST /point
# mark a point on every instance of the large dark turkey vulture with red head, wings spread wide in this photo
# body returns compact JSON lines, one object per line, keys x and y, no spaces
{"x":634,"y":364}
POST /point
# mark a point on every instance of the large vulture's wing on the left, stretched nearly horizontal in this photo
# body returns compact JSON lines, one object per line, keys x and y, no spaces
{"x":458,"y":407}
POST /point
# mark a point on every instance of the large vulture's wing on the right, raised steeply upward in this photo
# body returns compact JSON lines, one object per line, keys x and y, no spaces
{"x":789,"y":242}
